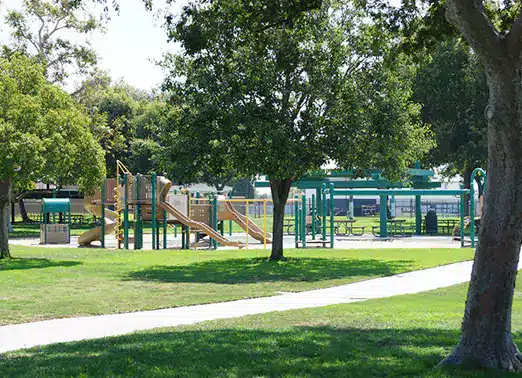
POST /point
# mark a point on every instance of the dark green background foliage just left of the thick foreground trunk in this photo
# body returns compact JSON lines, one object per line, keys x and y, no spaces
{"x":452,"y":86}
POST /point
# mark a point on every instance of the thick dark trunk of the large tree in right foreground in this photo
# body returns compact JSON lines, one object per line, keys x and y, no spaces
{"x":486,"y":340}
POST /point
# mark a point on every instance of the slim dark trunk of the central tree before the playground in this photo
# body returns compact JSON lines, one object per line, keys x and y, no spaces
{"x":280,"y":190}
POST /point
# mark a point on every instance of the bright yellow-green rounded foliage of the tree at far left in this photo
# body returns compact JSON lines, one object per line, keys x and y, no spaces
{"x":45,"y":134}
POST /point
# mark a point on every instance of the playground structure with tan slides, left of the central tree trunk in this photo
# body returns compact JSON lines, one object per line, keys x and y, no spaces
{"x":140,"y":198}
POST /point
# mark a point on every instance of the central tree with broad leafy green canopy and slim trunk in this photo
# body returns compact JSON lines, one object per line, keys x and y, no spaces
{"x":285,"y":99}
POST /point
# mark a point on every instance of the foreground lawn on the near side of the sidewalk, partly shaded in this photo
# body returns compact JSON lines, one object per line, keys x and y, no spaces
{"x":403,"y":336}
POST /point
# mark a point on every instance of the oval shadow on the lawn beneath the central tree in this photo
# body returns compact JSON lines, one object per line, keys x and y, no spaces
{"x":244,"y":271}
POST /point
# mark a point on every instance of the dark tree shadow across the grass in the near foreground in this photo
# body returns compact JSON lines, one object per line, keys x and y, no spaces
{"x":242,"y":352}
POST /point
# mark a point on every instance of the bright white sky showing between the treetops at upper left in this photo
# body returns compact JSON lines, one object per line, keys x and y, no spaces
{"x":133,"y":40}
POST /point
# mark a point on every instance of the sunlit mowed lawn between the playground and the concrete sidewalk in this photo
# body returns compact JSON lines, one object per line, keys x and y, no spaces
{"x":45,"y":283}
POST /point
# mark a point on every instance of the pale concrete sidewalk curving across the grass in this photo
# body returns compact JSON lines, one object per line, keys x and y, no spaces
{"x":27,"y":335}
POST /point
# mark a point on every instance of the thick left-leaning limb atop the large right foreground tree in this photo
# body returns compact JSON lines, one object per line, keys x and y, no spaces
{"x":469,"y":17}
